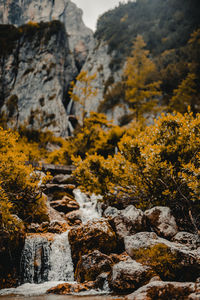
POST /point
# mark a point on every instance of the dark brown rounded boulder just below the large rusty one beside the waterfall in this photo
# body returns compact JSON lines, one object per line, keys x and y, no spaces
{"x":91,"y":265}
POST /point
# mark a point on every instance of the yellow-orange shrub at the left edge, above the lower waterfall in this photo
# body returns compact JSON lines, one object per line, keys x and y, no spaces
{"x":19,"y":193}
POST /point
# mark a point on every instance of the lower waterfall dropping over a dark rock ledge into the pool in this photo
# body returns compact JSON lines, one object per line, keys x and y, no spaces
{"x":45,"y":260}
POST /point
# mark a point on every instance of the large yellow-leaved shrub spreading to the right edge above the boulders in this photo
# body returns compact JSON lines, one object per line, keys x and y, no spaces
{"x":159,"y":165}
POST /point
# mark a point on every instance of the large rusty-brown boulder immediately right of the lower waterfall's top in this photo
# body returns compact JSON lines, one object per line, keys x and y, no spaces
{"x":94,"y":235}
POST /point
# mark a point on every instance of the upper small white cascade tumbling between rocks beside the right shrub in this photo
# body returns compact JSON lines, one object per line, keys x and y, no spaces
{"x":88,"y":205}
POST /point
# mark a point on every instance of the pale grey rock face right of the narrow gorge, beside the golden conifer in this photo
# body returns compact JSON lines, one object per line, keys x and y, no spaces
{"x":106,"y":82}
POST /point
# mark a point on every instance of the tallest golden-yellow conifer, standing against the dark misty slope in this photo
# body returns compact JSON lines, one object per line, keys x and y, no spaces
{"x":142,"y":90}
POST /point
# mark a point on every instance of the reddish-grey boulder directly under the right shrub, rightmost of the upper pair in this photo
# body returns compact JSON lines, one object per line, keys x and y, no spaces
{"x":162,"y":221}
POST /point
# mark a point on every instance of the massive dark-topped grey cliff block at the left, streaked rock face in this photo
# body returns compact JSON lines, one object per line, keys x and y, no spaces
{"x":36,"y":68}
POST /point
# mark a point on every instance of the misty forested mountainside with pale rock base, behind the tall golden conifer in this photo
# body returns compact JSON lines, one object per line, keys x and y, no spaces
{"x":164,"y":25}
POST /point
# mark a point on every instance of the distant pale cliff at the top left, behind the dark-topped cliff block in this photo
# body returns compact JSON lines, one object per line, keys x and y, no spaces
{"x":19,"y":12}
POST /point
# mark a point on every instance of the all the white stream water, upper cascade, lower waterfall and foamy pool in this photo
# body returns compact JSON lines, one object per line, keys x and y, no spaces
{"x":47,"y":262}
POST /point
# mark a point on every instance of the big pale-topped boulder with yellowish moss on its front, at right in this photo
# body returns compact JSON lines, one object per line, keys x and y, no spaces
{"x":185,"y":263}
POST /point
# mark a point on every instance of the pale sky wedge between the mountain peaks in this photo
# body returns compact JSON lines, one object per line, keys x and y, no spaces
{"x":92,"y":9}
